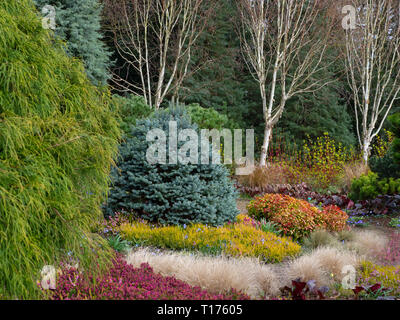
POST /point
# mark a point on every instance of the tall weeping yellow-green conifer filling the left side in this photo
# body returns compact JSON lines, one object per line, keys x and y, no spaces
{"x":58,"y":139}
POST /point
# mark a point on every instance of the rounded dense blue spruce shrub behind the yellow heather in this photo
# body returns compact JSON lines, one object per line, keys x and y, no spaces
{"x":169,"y":193}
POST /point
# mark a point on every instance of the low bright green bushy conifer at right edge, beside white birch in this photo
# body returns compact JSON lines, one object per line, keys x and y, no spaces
{"x":370,"y":186}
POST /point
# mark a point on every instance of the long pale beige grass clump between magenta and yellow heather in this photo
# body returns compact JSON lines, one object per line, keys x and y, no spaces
{"x":214,"y":274}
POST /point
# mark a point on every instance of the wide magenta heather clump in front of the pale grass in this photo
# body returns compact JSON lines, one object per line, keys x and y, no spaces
{"x":124,"y":282}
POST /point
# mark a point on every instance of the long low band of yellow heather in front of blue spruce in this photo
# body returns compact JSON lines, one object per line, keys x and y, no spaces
{"x":242,"y":238}
